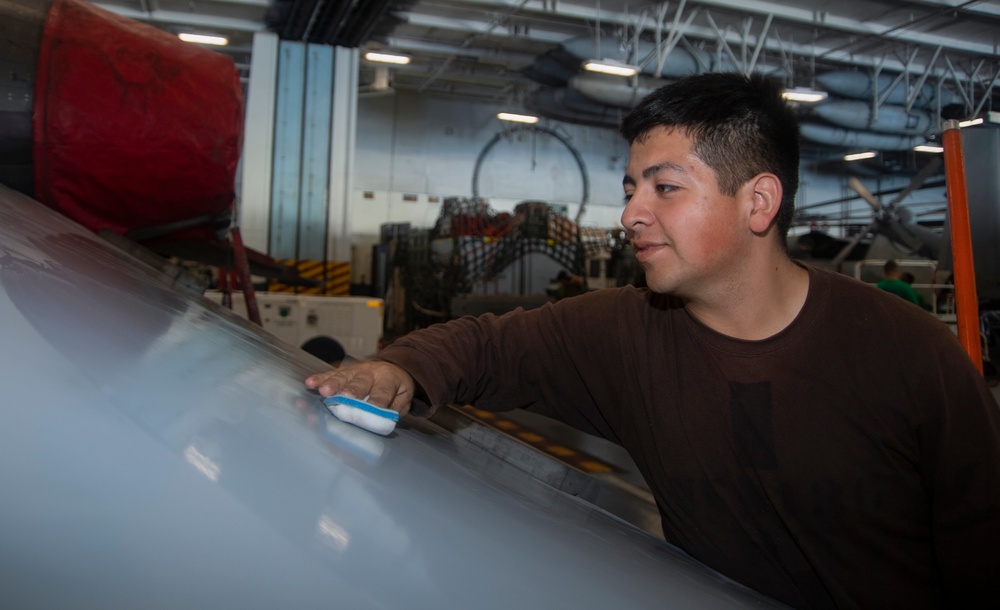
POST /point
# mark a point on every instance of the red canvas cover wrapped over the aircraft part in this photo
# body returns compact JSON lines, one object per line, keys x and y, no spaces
{"x":132,"y":128}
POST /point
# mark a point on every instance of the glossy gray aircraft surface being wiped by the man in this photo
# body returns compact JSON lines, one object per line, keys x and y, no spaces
{"x":157,"y":451}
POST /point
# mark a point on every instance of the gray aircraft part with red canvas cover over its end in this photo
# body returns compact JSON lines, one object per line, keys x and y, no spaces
{"x":101,"y":115}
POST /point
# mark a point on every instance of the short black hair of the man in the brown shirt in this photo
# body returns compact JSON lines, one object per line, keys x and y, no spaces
{"x":740,"y":126}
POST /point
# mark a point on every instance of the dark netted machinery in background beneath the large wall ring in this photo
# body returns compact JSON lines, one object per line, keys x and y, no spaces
{"x":477,"y":260}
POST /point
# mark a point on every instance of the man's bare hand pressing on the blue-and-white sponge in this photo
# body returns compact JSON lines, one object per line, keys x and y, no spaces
{"x":380,"y":383}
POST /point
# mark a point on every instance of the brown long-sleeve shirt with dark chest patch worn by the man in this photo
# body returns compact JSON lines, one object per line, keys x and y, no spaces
{"x":850,"y":461}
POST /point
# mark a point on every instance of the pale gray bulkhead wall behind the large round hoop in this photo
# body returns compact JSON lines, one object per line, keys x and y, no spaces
{"x":412,"y":147}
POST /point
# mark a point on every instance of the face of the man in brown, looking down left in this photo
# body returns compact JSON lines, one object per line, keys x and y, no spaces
{"x":687,"y":235}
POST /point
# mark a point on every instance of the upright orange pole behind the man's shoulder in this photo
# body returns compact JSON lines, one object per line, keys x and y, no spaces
{"x":966,"y":300}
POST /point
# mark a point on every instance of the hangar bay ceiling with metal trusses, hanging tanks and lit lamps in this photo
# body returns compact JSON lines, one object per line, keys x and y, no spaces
{"x":931,"y":58}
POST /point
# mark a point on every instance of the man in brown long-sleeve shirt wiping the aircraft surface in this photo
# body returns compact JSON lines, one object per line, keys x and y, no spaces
{"x":803,"y":433}
